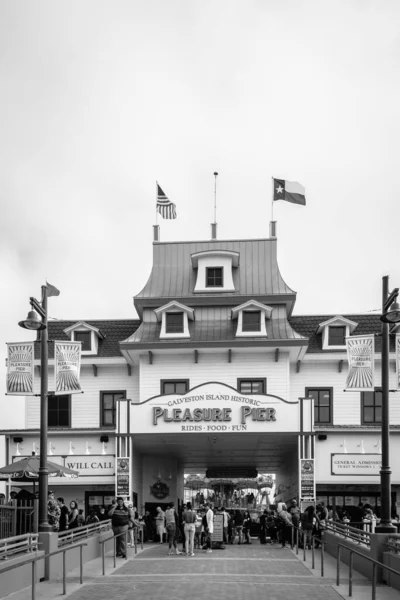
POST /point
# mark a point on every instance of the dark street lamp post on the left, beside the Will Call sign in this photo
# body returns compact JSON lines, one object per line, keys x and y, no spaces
{"x":34,"y":323}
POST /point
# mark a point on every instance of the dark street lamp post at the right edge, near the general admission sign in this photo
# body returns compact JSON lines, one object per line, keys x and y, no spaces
{"x":388,"y":316}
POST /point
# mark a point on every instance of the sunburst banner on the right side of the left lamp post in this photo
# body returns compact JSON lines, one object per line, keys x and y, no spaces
{"x":67,"y":367}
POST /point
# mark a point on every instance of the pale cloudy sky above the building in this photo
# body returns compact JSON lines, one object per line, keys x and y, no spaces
{"x":99,"y":99}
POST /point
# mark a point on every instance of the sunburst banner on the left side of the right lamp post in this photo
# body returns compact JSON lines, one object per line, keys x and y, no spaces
{"x":360,"y":354}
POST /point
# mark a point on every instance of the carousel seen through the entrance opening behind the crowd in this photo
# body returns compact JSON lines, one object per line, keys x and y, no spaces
{"x":251,"y":494}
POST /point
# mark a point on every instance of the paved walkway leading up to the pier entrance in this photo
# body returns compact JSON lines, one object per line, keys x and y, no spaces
{"x":236,"y":573}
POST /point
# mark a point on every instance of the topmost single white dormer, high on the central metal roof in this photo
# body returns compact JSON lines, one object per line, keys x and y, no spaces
{"x":215,"y":270}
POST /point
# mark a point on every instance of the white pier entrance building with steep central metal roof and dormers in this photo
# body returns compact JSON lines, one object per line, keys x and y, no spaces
{"x":218,"y":373}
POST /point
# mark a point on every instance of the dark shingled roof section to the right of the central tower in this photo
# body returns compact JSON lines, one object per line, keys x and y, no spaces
{"x":367,"y":324}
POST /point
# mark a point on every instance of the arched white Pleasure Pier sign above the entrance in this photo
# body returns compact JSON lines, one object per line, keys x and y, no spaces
{"x":216,"y":407}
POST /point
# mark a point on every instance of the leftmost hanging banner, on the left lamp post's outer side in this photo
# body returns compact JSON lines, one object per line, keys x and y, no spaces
{"x":20,"y":369}
